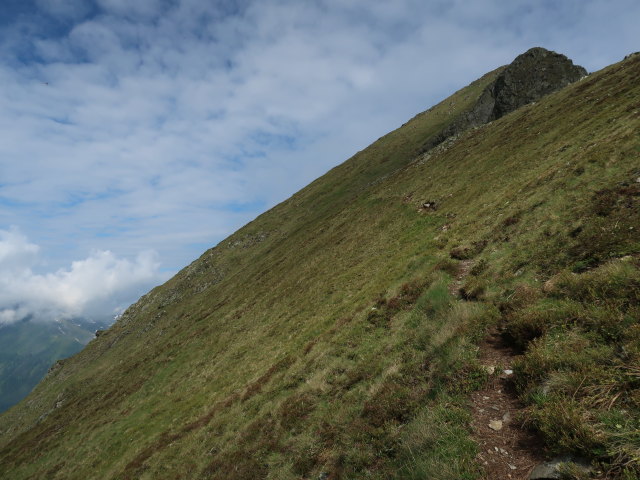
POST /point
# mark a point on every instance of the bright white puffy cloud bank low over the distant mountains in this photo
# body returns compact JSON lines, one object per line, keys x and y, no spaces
{"x":98,"y":287}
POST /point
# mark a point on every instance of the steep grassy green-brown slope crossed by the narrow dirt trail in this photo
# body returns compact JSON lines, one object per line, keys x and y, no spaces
{"x":322,"y":340}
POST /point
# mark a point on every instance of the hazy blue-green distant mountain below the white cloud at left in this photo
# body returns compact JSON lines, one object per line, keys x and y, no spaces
{"x":28,"y":349}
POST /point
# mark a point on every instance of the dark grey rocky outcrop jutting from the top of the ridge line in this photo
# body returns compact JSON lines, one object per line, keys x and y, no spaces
{"x":531,"y":76}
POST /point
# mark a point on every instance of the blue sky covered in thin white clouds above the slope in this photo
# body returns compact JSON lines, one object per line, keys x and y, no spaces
{"x":136,"y":135}
